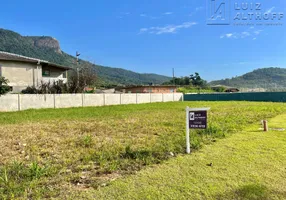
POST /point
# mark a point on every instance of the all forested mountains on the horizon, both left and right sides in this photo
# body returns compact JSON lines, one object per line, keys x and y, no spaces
{"x":48,"y":48}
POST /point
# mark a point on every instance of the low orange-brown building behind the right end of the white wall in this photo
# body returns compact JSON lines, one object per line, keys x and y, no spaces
{"x":149,"y":89}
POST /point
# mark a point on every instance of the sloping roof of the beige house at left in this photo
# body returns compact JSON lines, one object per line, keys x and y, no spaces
{"x":6,"y":56}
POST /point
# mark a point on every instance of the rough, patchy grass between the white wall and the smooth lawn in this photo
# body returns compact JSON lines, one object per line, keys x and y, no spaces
{"x":85,"y":149}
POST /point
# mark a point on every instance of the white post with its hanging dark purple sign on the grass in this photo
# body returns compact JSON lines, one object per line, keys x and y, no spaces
{"x":196,"y":118}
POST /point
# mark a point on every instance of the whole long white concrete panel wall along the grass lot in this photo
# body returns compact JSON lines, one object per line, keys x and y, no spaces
{"x":17,"y":102}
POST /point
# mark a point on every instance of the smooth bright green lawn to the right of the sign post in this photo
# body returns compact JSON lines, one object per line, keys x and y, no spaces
{"x":248,"y":165}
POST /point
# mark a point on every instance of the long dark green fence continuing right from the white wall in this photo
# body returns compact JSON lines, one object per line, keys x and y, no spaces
{"x":254,"y":96}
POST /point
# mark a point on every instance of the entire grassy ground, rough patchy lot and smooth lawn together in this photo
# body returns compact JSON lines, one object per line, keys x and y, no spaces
{"x":87,"y":152}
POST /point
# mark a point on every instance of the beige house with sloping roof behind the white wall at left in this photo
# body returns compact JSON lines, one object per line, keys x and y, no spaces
{"x":22,"y":71}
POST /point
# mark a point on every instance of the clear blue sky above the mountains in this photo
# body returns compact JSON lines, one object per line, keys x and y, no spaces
{"x":154,"y":36}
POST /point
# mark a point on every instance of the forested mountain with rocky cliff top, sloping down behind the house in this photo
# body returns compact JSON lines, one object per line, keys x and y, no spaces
{"x":48,"y":48}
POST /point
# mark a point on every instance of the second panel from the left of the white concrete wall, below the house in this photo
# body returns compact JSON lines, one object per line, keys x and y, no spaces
{"x":32,"y":101}
